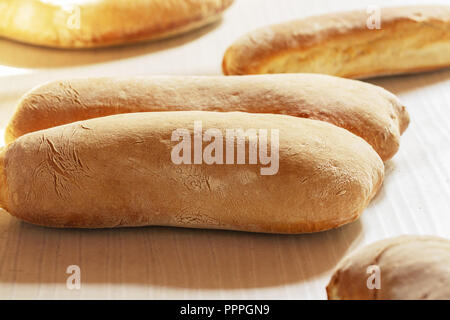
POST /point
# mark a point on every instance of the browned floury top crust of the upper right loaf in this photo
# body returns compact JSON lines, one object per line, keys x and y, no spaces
{"x":252,"y":49}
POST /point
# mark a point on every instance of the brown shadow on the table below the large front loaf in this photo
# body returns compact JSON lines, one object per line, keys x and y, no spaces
{"x":168,"y":257}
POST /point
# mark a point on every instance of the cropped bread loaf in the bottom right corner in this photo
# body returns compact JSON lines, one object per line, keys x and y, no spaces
{"x":410,"y":268}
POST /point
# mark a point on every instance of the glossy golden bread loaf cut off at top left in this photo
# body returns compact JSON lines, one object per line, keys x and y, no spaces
{"x":98,"y":23}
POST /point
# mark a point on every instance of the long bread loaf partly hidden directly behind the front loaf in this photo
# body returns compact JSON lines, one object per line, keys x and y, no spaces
{"x":366,"y":110}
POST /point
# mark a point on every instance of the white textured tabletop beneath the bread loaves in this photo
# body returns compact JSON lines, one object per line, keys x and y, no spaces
{"x":163,"y":263}
